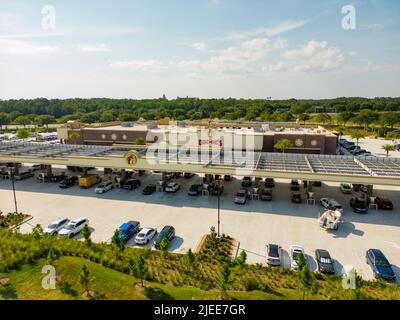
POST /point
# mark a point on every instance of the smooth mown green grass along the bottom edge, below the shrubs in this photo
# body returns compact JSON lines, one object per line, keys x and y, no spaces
{"x":25,"y":284}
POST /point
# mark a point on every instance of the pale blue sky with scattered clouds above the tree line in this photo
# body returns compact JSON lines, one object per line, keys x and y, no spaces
{"x":199,"y":48}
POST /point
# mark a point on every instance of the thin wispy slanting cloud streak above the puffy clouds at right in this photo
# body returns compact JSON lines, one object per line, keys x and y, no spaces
{"x":267,"y":31}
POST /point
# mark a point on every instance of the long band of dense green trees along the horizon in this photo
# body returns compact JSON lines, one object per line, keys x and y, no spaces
{"x":45,"y":111}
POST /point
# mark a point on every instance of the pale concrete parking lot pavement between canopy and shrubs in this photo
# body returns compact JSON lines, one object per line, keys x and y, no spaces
{"x":253,"y":225}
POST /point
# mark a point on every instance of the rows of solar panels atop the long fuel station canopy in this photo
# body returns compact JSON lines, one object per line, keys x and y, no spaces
{"x":322,"y":164}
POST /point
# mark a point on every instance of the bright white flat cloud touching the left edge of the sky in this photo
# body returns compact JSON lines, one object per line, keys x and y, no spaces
{"x":17,"y":47}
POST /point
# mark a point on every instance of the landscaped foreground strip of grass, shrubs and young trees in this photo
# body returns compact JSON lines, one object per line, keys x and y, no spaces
{"x":87,"y":270}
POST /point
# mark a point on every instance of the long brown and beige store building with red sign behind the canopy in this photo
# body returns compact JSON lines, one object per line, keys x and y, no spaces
{"x":205,"y":134}
